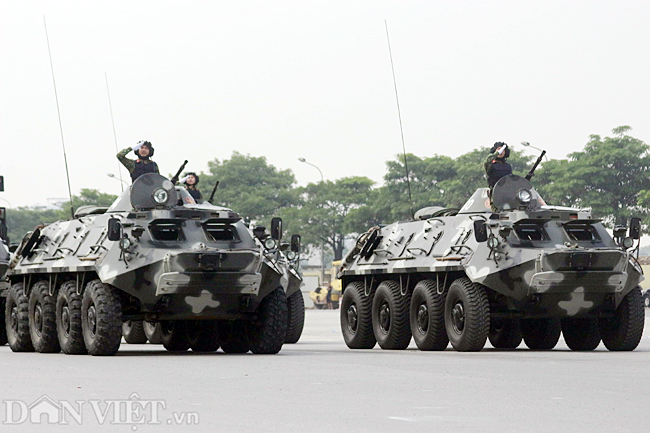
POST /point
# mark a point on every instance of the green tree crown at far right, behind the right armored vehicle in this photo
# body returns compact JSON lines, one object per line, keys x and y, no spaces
{"x":610,"y":175}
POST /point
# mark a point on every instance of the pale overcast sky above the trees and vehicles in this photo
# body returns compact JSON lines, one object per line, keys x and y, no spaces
{"x":308,"y":79}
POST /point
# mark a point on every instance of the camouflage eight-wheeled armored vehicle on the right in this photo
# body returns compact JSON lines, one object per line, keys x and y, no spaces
{"x":509,"y":270}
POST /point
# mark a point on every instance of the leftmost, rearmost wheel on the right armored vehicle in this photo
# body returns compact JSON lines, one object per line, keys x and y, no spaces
{"x":356,"y":317}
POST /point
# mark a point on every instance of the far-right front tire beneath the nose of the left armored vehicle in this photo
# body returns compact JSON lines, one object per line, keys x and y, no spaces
{"x":266,"y":333}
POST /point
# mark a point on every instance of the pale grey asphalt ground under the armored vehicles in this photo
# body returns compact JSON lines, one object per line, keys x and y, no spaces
{"x":319,"y":385}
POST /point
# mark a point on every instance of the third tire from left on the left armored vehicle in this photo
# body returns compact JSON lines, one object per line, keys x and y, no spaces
{"x":68,"y":320}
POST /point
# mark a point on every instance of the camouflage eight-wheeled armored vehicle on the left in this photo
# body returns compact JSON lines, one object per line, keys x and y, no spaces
{"x":156,"y":255}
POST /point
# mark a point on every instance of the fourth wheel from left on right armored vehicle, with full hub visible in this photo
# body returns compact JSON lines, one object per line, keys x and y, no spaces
{"x":467,"y":315}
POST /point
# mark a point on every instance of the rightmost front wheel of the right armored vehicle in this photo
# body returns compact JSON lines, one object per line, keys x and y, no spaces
{"x":624,"y":330}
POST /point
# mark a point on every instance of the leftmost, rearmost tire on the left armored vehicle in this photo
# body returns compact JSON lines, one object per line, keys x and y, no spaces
{"x":17,"y":320}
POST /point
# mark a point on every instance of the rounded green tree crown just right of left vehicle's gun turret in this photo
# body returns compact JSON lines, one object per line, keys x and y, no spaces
{"x":250,"y":186}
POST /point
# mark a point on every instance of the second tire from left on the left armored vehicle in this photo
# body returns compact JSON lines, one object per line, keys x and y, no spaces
{"x":42,"y":319}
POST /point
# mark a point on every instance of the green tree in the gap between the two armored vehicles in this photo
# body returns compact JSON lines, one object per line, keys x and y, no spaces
{"x":329,"y":212}
